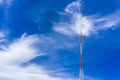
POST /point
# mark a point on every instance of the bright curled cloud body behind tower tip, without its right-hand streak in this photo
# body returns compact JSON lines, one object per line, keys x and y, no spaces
{"x":77,"y":22}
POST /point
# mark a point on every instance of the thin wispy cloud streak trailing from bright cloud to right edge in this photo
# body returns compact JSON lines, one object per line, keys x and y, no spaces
{"x":108,"y":21}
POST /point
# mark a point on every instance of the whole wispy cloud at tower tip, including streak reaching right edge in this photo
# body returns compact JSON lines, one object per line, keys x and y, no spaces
{"x":87,"y":24}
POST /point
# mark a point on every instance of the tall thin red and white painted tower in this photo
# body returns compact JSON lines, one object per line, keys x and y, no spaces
{"x":81,"y":75}
